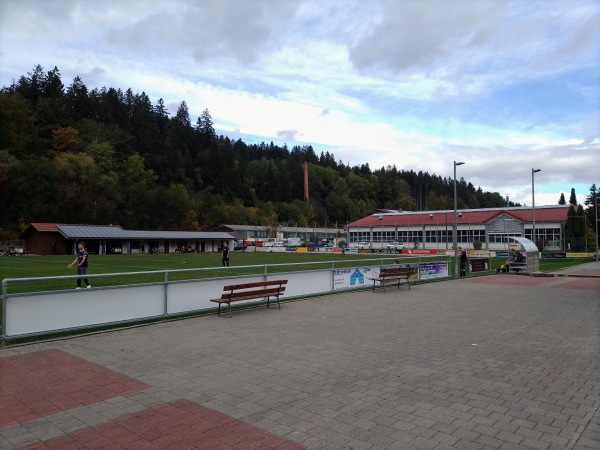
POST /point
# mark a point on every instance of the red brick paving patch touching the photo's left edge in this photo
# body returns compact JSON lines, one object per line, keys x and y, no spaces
{"x":41,"y":383}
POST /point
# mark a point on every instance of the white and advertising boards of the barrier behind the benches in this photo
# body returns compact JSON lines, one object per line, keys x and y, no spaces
{"x":38,"y":313}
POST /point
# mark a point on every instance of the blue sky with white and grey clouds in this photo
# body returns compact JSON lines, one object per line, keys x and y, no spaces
{"x":503,"y":85}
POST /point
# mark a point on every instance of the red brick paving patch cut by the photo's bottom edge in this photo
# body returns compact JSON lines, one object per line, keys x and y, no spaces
{"x":178,"y":425}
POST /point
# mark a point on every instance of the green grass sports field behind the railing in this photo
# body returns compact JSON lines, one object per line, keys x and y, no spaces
{"x":187,"y":266}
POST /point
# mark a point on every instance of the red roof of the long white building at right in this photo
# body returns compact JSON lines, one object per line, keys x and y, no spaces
{"x":542,"y":214}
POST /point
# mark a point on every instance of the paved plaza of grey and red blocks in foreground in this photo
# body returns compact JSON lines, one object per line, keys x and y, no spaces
{"x":495,"y":362}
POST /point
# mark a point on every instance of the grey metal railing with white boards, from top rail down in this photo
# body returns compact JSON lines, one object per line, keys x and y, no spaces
{"x":42,"y":305}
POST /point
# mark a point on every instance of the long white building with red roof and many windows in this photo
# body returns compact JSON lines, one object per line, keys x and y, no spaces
{"x":433,"y":229}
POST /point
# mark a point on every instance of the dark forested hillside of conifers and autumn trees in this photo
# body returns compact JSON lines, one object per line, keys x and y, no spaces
{"x":104,"y":156}
